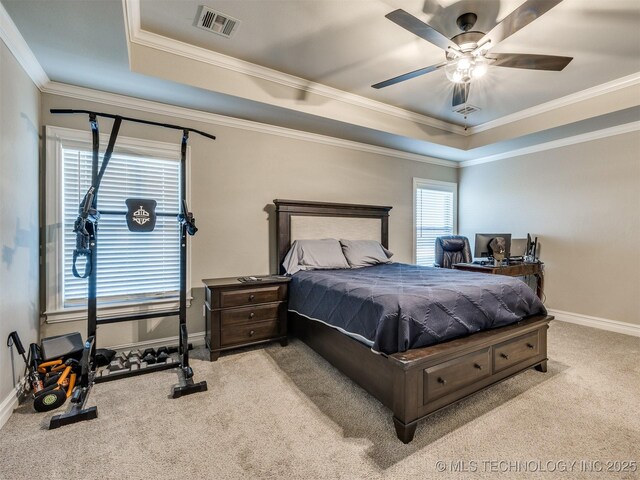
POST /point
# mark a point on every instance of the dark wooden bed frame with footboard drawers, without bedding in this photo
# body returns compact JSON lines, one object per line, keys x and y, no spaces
{"x":415,"y":383}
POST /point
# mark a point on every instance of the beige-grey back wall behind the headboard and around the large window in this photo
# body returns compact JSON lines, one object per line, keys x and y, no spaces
{"x":233,"y":183}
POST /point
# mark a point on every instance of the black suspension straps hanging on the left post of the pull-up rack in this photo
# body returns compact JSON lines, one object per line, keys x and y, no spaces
{"x":86,"y":225}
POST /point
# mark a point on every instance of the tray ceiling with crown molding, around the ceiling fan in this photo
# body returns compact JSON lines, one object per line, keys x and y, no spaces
{"x":308,"y":65}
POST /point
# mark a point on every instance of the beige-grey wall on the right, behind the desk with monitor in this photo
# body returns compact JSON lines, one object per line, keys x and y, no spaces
{"x":583,"y":202}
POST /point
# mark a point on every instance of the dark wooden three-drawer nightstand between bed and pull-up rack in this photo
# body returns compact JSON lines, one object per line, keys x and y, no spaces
{"x":240,"y":314}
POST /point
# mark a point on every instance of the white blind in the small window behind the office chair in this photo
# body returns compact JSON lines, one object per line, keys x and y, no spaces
{"x":434,"y":218}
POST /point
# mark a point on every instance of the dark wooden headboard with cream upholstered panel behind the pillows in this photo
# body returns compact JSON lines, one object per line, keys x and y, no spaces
{"x":375,"y":219}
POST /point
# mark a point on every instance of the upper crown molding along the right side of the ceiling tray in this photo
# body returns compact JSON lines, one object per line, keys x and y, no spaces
{"x":588,"y":94}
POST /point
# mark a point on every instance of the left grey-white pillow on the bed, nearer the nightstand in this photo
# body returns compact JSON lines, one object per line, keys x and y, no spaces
{"x":314,"y":254}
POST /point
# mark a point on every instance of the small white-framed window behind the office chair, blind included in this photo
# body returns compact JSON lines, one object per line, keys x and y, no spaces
{"x":435,"y":205}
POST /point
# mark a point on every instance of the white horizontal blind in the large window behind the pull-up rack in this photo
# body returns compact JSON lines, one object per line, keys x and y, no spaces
{"x":131,"y":266}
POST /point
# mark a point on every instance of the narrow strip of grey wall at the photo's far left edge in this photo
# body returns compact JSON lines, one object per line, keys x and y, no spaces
{"x":19,"y":145}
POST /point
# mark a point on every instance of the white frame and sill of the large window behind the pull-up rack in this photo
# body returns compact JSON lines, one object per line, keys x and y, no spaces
{"x":54,"y":310}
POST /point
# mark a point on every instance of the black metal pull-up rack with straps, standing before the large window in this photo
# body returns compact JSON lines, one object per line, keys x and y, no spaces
{"x":140,"y":216}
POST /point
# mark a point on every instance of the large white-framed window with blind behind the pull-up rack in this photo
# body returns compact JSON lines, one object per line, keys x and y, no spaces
{"x":133,"y":268}
